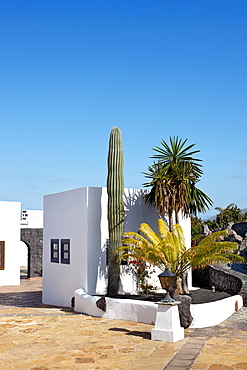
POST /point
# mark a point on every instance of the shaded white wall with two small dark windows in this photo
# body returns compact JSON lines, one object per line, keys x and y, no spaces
{"x":65,"y":217}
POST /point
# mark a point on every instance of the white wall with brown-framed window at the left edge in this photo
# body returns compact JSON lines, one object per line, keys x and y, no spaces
{"x":10,"y":233}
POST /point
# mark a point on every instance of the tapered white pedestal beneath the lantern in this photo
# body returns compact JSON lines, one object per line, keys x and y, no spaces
{"x":167,"y":324}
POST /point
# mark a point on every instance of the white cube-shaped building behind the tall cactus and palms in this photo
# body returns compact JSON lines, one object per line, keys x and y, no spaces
{"x":75,"y":241}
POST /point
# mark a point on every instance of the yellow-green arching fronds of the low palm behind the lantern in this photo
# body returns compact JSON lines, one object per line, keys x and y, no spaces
{"x":167,"y":248}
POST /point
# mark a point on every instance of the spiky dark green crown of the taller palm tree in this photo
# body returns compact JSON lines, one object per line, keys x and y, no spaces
{"x":173,"y":180}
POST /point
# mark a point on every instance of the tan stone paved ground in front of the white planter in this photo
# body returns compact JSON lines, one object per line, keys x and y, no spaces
{"x":34,"y":336}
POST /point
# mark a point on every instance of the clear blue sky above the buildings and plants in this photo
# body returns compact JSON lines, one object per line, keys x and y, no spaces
{"x":73,"y":69}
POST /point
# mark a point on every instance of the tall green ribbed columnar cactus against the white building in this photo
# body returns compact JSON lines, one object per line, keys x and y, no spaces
{"x":115,"y":191}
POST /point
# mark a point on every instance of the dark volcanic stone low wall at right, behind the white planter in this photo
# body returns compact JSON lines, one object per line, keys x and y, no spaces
{"x":222,"y":278}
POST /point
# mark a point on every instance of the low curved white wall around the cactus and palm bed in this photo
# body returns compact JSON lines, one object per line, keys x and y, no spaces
{"x":204,"y":315}
